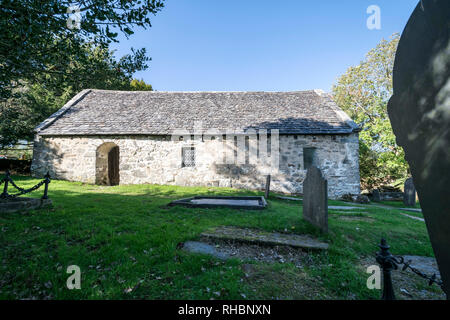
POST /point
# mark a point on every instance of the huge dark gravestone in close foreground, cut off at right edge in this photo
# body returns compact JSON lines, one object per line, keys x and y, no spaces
{"x":420,"y":118}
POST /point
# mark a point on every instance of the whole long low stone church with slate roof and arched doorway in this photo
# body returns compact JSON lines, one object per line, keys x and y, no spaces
{"x":225,"y":139}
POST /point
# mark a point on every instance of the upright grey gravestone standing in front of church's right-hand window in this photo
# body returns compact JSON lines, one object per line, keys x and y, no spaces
{"x":315,"y":199}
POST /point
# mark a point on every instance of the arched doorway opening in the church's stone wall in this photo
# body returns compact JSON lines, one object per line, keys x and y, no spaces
{"x":107,"y":165}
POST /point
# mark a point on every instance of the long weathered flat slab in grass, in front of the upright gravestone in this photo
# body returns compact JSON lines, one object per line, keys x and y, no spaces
{"x":265,"y":238}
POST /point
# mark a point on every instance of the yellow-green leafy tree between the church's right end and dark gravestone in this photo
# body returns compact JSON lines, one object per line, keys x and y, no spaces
{"x":363,"y":92}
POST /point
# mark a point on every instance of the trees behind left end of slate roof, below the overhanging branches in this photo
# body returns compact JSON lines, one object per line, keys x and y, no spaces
{"x":93,"y":68}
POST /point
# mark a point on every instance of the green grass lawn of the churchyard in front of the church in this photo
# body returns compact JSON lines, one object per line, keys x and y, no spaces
{"x":125,"y":237}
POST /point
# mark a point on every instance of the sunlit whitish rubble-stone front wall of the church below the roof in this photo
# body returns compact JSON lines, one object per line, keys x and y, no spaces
{"x":157,"y":160}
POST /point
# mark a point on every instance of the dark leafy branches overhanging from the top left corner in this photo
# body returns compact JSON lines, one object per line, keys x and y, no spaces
{"x":40,"y":36}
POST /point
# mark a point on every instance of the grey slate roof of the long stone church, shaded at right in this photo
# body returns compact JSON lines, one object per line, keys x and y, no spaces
{"x":104,"y":112}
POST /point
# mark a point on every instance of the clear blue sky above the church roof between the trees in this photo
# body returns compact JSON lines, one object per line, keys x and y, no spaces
{"x":259,"y":45}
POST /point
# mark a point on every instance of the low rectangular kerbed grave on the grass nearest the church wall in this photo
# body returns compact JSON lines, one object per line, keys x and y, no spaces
{"x":249,"y":203}
